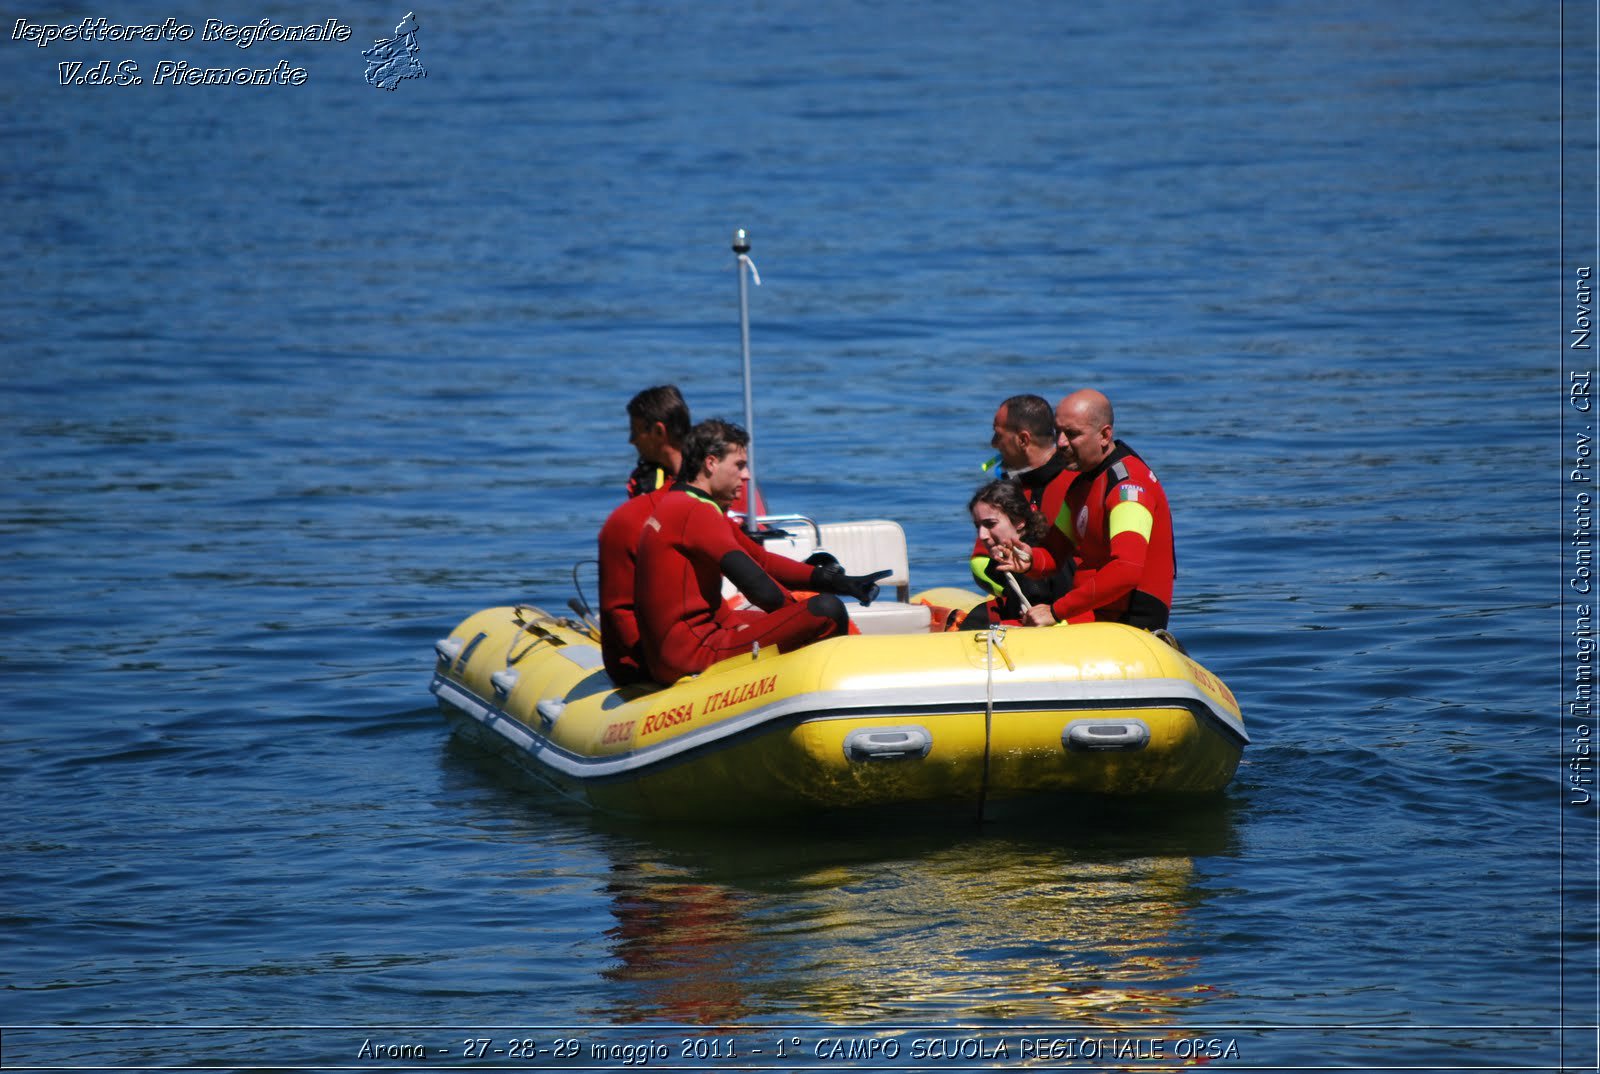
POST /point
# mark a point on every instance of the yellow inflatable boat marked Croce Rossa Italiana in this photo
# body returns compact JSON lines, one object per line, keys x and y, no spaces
{"x":897,"y":715}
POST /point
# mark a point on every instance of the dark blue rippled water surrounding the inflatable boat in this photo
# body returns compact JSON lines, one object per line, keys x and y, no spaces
{"x":298,"y":377}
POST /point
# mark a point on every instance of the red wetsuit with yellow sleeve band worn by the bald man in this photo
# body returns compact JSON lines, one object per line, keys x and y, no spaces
{"x":1119,"y":529}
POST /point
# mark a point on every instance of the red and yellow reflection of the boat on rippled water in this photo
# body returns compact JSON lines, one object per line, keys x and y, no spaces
{"x":1082,"y":921}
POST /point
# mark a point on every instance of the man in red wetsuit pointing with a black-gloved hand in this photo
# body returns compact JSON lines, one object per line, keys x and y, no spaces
{"x":690,"y":545}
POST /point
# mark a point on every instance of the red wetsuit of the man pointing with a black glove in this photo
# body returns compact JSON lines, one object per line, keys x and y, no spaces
{"x":678,"y":591}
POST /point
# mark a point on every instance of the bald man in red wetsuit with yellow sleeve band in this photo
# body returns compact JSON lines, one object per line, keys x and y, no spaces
{"x":1114,"y":523}
